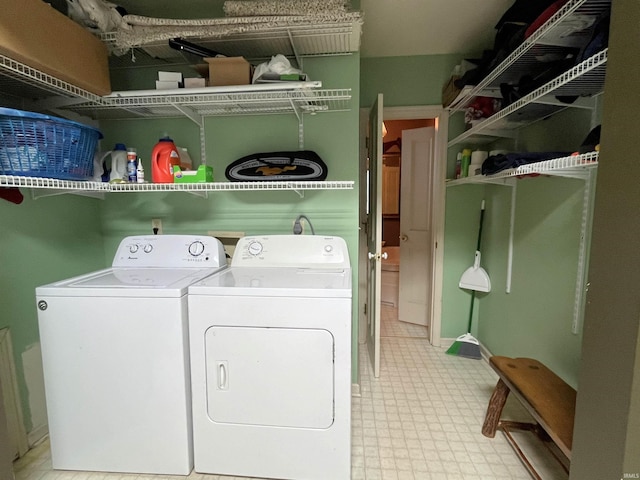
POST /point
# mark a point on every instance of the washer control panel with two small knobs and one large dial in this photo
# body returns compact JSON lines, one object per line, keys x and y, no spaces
{"x":170,"y":251}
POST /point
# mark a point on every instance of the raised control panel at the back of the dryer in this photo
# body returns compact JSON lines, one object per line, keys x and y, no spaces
{"x":302,"y":251}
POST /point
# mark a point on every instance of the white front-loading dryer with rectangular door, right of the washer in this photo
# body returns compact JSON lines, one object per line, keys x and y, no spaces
{"x":271,"y":361}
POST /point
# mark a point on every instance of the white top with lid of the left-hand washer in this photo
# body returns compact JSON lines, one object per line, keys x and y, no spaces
{"x":129,"y":282}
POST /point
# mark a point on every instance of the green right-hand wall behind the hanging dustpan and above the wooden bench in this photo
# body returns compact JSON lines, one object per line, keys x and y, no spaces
{"x":535,"y":319}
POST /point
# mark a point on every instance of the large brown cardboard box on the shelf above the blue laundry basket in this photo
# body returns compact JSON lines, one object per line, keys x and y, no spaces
{"x":34,"y":33}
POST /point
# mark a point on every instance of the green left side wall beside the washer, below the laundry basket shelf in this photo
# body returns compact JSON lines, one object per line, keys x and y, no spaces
{"x":42,"y":241}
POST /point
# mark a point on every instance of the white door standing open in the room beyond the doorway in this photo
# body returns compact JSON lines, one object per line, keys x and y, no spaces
{"x":416,"y":253}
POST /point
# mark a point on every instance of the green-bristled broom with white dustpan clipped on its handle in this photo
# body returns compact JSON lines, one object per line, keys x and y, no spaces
{"x":475,"y":279}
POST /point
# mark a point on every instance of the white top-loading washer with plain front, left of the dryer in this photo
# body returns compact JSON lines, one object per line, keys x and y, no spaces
{"x":115,"y":354}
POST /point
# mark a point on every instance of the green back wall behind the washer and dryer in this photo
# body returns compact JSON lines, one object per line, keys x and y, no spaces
{"x":334,"y":136}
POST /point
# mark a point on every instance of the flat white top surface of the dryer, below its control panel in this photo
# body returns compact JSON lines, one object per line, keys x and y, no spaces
{"x":278,"y":282}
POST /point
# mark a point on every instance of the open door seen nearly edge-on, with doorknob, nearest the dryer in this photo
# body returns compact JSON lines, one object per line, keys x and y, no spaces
{"x":374,"y":234}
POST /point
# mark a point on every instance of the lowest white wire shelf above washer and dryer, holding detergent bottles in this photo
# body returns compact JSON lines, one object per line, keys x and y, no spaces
{"x":56,"y":187}
